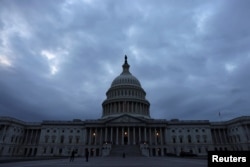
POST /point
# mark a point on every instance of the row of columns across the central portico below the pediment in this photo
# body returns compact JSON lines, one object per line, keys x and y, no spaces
{"x":125,"y":135}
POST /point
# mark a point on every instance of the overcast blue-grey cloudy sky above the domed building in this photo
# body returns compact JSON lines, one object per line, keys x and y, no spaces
{"x":58,"y":58}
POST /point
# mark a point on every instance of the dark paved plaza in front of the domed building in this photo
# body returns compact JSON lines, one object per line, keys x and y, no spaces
{"x":113,"y":162}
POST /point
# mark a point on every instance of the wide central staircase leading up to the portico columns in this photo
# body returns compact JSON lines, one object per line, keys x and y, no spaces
{"x":129,"y":150}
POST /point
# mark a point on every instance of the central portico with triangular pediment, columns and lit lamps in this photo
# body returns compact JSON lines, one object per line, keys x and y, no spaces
{"x":126,"y":130}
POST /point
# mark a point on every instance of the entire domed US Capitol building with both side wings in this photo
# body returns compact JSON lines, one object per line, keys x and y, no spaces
{"x":125,"y":126}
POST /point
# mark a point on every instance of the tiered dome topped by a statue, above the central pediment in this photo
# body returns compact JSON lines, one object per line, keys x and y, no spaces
{"x":125,"y":96}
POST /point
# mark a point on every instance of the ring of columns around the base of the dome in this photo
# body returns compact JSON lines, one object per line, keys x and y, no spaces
{"x":119,"y":107}
